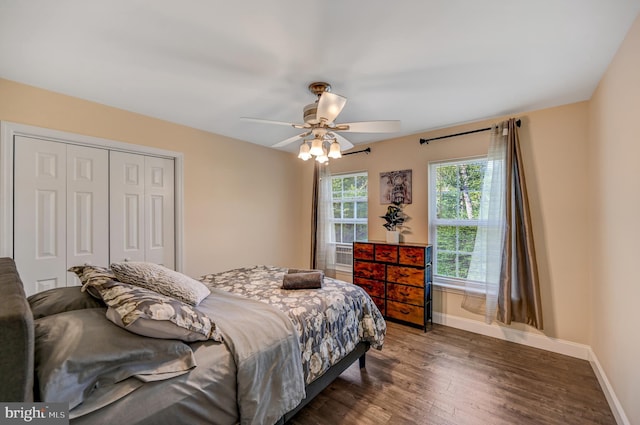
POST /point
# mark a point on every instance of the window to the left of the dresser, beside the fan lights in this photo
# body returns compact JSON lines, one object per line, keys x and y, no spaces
{"x":350,"y":214}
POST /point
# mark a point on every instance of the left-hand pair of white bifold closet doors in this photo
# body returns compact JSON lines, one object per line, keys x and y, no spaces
{"x":61,"y":220}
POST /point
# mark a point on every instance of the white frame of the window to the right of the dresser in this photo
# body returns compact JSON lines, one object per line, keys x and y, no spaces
{"x":454,"y":283}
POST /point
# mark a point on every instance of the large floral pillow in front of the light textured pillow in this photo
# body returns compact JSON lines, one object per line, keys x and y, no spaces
{"x":148,"y":313}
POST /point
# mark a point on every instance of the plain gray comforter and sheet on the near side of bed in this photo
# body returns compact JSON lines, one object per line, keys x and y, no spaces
{"x":254,"y":377}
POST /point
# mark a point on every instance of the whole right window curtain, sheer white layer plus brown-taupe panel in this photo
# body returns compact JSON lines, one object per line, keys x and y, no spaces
{"x":504,"y":257}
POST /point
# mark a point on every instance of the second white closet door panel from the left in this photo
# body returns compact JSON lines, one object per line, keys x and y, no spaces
{"x":87,"y":208}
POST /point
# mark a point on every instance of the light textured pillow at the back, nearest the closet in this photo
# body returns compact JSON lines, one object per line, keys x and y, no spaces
{"x":162,"y":280}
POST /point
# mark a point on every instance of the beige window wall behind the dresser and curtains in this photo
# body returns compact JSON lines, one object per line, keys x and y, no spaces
{"x":554,"y":146}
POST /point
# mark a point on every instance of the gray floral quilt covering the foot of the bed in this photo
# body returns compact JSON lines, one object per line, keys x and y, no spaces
{"x":330,"y":321}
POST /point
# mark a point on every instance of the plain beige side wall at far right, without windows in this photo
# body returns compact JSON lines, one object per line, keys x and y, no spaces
{"x":614,"y":114}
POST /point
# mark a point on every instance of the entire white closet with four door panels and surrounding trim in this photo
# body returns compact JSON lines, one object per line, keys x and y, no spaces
{"x":82,"y":200}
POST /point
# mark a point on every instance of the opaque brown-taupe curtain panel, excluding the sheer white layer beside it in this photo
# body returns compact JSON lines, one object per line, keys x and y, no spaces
{"x":519,"y":291}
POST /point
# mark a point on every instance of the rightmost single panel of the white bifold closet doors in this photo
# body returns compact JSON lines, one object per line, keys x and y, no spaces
{"x":159,"y":207}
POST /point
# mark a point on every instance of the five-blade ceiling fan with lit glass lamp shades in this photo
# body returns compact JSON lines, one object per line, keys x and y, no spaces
{"x":319,"y":122}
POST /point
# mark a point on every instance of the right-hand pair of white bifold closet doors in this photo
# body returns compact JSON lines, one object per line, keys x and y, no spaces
{"x":142,"y":209}
